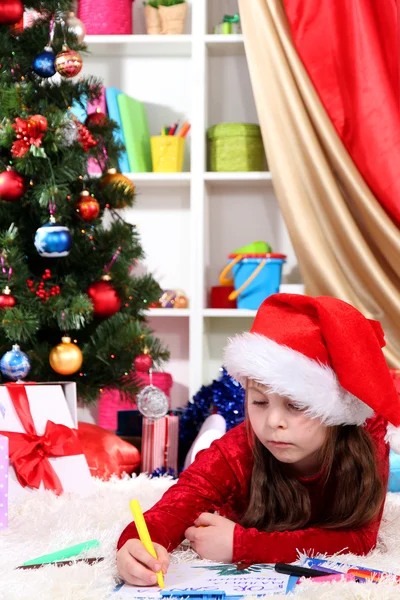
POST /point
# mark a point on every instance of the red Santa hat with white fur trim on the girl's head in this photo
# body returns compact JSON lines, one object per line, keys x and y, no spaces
{"x":324,"y":355}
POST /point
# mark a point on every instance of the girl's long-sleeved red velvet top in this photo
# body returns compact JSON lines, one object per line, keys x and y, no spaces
{"x":219,"y":480}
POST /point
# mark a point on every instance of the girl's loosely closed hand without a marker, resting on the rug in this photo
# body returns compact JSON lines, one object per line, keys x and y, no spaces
{"x":212,"y":537}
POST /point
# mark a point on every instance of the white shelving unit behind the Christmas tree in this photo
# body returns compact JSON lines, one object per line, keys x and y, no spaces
{"x":189,"y":222}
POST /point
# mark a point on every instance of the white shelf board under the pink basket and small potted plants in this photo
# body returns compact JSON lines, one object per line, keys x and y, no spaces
{"x":139,"y":45}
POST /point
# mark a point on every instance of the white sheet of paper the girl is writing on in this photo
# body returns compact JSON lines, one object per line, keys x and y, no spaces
{"x":254,"y":581}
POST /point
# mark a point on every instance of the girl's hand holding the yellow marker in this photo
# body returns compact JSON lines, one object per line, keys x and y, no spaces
{"x":137,"y":567}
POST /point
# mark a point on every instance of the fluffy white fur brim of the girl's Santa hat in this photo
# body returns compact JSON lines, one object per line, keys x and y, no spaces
{"x":310,"y":384}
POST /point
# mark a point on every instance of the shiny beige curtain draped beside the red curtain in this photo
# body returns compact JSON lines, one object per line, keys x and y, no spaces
{"x":346,"y":244}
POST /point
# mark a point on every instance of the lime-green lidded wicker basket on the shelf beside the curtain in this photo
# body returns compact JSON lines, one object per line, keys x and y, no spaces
{"x":236,"y":147}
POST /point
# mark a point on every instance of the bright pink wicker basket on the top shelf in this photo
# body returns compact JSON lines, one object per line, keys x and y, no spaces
{"x":103,"y":17}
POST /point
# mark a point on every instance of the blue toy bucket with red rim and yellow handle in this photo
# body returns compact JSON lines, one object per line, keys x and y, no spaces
{"x":257,"y":276}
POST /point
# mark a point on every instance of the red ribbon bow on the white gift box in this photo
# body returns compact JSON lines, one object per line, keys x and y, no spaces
{"x":30,"y":452}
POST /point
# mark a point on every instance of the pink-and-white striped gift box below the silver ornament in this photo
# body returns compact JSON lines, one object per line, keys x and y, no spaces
{"x":160,"y":444}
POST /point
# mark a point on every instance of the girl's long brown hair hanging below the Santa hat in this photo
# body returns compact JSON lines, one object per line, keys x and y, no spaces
{"x":280,"y":502}
